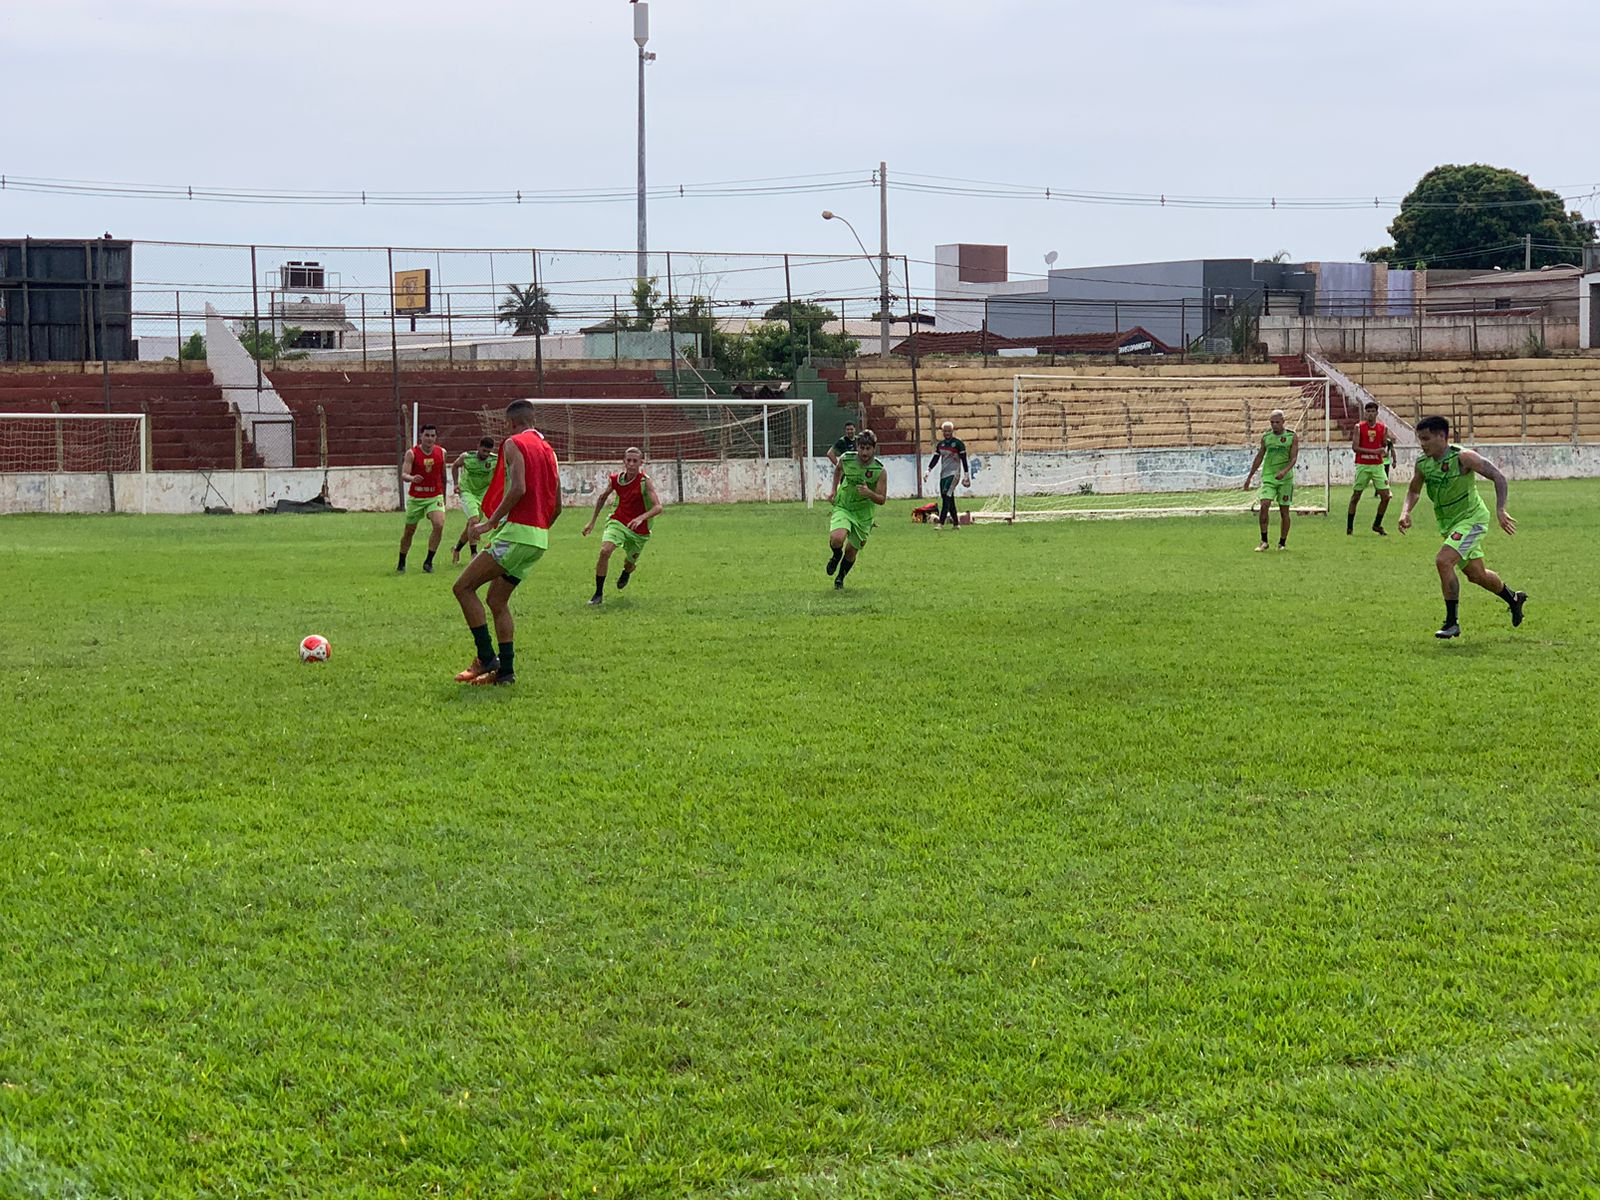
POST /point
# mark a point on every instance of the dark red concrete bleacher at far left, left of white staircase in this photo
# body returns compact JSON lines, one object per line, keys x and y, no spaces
{"x":191,"y":425}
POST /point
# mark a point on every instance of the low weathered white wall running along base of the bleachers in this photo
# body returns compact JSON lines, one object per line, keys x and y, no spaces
{"x":738,"y":481}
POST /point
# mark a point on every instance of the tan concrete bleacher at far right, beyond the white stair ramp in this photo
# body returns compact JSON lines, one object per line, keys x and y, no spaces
{"x":1492,"y":401}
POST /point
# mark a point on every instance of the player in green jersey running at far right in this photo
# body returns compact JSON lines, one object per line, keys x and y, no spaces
{"x":1447,"y":473}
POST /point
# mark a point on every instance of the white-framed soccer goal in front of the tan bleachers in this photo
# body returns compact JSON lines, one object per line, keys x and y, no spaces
{"x":1153,"y":446}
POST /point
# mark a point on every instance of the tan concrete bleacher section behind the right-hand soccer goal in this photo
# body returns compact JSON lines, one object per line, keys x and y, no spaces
{"x":1177,"y":406}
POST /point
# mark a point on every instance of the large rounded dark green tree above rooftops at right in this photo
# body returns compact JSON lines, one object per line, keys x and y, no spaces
{"x":1474,"y":218}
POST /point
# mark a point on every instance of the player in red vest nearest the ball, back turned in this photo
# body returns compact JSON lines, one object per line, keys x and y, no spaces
{"x":524,"y":502}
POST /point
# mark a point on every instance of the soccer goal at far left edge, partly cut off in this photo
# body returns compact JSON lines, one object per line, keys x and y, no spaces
{"x":66,"y":446}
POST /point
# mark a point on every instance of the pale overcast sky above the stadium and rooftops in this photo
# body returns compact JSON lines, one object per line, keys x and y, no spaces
{"x":1194,"y":98}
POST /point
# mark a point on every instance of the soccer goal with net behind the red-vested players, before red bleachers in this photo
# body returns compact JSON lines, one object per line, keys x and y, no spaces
{"x":766,"y":444}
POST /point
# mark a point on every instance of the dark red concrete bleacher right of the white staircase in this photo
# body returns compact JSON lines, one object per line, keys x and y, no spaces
{"x":367,"y":414}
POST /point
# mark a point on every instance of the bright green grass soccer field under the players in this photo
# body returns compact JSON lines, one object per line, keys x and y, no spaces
{"x":1062,"y":860}
